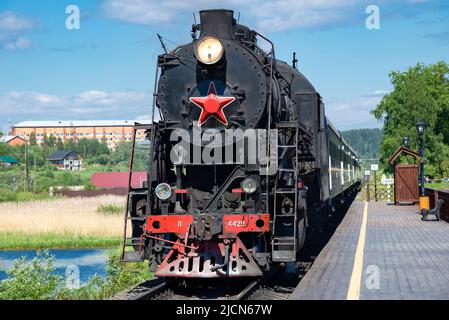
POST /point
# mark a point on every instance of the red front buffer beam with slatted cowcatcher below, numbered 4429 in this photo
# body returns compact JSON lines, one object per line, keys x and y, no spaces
{"x":198,"y":253}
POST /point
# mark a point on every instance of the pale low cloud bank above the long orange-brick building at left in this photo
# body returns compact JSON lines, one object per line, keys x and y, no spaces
{"x":24,"y":105}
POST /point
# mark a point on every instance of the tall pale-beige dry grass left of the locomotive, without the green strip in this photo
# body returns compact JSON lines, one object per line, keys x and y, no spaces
{"x":65,"y":216}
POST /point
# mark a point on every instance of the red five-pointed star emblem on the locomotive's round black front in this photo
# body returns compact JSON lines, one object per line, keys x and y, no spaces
{"x":212,"y":106}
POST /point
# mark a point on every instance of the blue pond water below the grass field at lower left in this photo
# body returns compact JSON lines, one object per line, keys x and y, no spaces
{"x":90,"y":262}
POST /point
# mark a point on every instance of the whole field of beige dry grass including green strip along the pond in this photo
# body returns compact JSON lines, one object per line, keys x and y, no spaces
{"x":62,"y":223}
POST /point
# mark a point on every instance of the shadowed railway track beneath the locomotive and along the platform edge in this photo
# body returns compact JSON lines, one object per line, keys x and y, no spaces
{"x":278,"y":285}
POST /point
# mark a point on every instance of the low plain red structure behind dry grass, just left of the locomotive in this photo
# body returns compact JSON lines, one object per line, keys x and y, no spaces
{"x":110,"y":180}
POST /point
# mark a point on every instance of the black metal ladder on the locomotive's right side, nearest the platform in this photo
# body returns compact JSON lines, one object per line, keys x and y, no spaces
{"x":284,"y":242}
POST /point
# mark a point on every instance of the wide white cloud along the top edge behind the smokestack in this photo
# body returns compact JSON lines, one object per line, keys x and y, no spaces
{"x":267,"y":15}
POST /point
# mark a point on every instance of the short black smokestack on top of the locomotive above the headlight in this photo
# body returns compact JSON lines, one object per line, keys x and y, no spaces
{"x":218,"y":22}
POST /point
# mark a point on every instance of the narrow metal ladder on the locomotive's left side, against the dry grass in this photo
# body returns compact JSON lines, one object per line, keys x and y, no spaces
{"x":130,"y":241}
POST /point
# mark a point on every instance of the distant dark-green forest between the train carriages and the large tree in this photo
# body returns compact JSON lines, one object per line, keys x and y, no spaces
{"x":365,"y":141}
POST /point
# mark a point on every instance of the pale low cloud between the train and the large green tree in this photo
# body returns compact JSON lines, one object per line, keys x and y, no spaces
{"x":354,"y":112}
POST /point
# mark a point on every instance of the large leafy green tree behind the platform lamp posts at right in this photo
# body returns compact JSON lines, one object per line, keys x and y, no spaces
{"x":421,"y":92}
